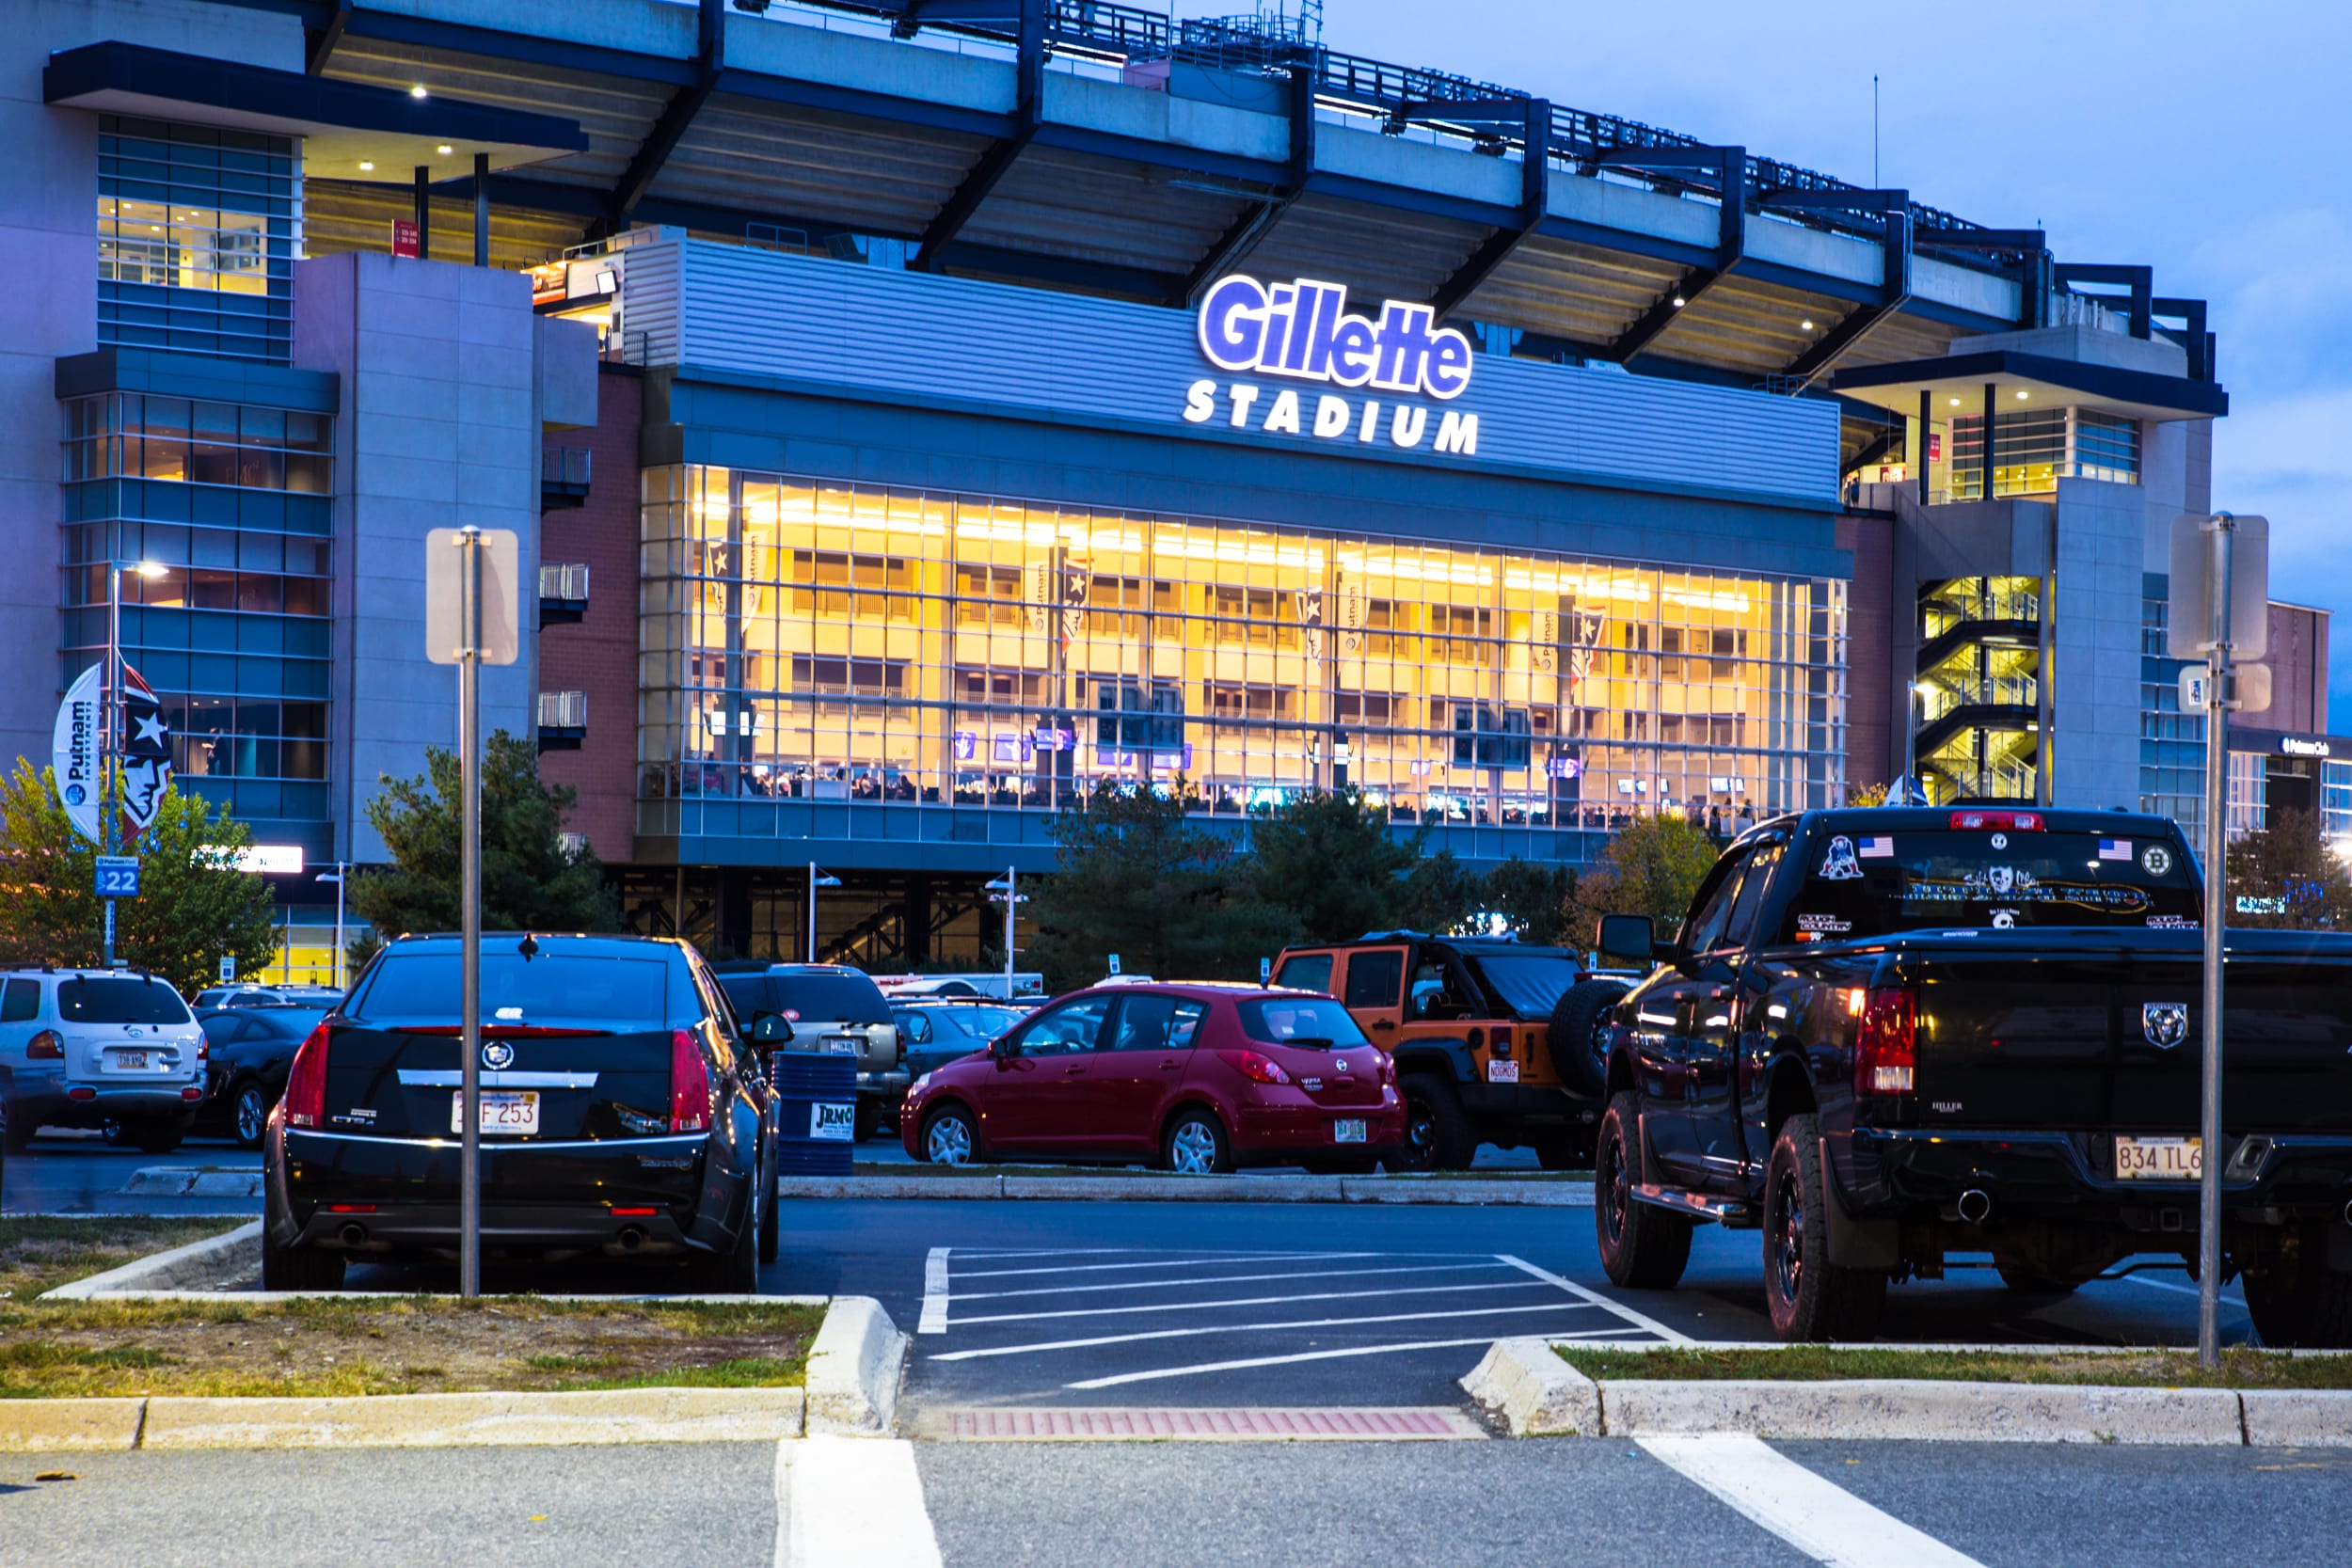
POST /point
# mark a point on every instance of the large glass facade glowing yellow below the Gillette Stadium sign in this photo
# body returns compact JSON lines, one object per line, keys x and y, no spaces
{"x":841,"y":643}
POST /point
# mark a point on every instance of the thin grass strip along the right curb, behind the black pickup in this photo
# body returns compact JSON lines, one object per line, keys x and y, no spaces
{"x":2146,"y":1369}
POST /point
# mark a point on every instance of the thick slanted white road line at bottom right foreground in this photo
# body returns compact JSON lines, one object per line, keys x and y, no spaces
{"x":1812,"y":1515}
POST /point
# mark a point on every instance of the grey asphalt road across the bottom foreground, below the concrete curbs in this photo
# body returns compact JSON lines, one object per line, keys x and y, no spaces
{"x":1180,"y":1506}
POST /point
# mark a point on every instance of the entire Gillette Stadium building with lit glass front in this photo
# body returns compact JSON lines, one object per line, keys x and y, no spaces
{"x":921,"y":415}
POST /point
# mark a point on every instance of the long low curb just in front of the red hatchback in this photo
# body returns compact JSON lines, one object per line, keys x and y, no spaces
{"x":1194,"y":1191}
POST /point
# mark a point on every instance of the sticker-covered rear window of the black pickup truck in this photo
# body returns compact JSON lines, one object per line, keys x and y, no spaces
{"x":1880,"y":883}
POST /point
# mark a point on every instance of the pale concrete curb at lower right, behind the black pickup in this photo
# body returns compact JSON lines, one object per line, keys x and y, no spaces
{"x":1535,"y":1393}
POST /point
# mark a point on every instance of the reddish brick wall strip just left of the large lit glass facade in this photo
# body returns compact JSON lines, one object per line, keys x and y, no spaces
{"x":601,"y":652}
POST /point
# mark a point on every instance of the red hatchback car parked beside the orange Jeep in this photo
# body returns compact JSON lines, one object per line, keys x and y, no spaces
{"x":1196,"y":1078}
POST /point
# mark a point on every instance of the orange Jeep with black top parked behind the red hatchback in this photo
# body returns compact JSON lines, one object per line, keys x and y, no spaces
{"x":1495,"y":1040}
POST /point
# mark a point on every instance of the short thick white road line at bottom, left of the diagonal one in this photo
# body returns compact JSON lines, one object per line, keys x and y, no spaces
{"x":850,"y":1503}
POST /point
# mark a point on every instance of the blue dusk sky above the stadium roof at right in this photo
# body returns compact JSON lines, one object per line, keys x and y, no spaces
{"x":2200,"y":140}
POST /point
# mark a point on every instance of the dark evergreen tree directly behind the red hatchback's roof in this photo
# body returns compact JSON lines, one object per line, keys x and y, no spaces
{"x":1170,"y":897}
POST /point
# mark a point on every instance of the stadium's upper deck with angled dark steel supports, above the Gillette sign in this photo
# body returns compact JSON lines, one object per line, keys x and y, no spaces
{"x":1104,"y":149}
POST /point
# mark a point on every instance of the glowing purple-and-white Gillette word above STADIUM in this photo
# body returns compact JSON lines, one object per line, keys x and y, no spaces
{"x":1304,"y":330}
